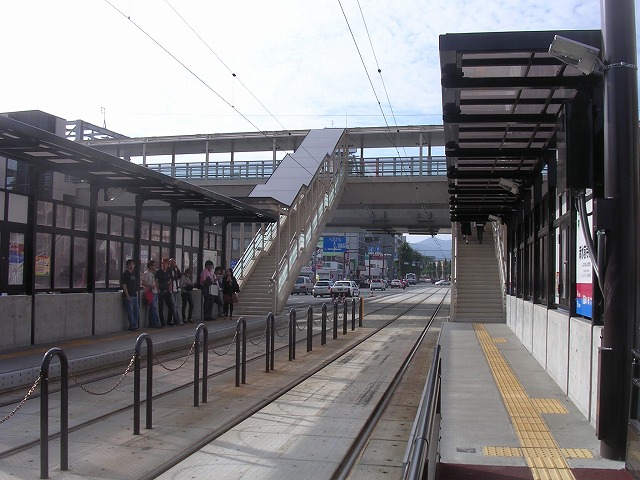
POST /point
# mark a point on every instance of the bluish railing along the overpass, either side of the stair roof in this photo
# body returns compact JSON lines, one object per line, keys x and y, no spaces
{"x":260,"y":169}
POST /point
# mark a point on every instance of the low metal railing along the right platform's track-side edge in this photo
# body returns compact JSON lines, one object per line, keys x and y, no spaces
{"x":421,"y":454}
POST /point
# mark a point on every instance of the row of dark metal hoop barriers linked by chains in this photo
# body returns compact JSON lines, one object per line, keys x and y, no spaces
{"x":201,"y":336}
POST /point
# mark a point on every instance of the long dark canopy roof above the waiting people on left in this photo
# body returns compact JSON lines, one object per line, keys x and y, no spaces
{"x":51,"y":153}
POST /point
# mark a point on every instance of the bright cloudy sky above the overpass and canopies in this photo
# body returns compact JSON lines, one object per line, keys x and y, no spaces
{"x":158,"y":67}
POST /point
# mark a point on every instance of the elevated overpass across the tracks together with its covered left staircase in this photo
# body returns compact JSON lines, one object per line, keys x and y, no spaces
{"x":363,"y":179}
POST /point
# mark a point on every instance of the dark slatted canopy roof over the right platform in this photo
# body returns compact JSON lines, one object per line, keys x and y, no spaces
{"x":502,"y":94}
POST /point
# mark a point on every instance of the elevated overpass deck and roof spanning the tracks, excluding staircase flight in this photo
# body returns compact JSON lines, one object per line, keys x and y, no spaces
{"x":393,"y":184}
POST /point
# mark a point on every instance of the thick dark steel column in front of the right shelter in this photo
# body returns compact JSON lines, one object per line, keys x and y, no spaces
{"x":621,"y":260}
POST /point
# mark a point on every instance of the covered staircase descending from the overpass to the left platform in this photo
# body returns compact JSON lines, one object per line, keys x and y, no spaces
{"x":270,"y":265}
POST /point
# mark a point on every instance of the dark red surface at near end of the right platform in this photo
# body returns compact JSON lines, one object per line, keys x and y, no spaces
{"x":451,"y":471}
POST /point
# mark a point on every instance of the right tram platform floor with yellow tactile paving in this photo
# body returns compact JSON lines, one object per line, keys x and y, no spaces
{"x":504,"y":417}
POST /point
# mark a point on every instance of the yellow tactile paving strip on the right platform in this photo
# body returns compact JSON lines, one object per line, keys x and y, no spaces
{"x":542,"y":454}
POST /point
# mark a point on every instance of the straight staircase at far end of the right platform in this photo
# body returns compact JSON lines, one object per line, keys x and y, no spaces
{"x":478,"y":293}
